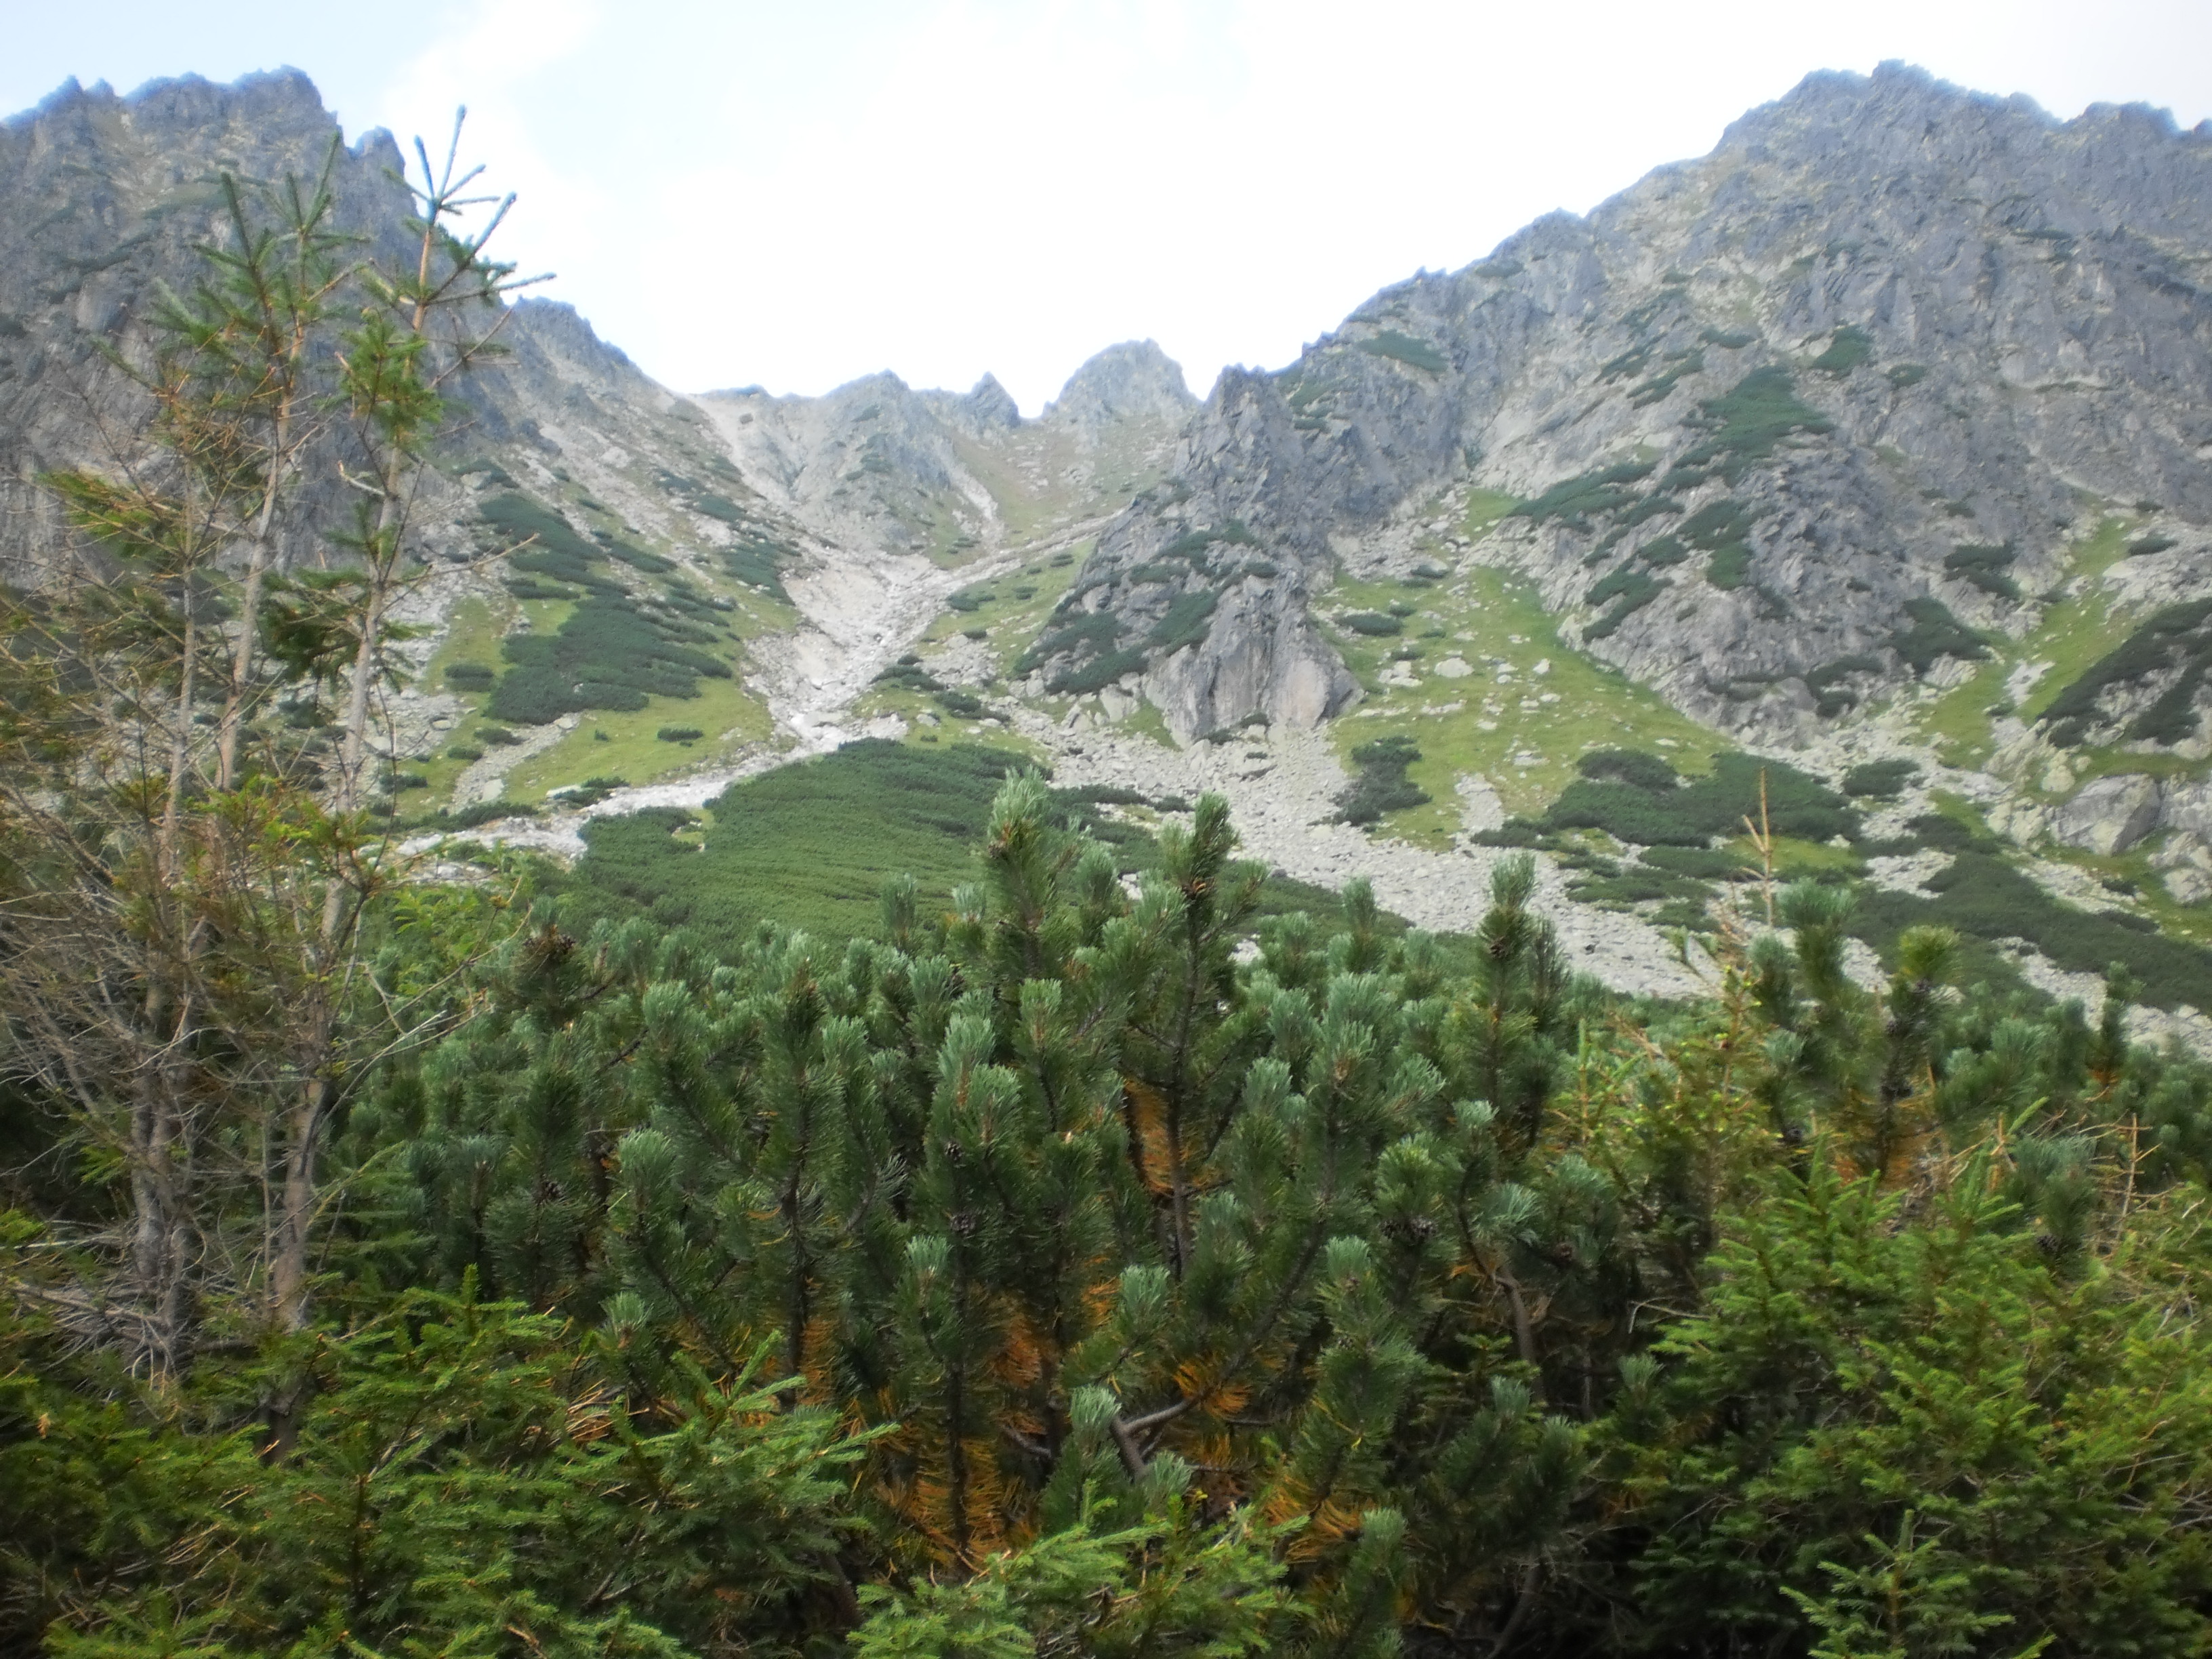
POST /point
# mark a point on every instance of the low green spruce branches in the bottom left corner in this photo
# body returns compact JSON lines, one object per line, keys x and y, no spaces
{"x":468,"y":1470}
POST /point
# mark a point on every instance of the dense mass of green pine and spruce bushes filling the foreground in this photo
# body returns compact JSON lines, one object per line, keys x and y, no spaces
{"x":1034,"y":1275}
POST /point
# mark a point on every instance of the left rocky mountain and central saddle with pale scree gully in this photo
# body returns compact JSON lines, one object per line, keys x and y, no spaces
{"x":808,"y":536}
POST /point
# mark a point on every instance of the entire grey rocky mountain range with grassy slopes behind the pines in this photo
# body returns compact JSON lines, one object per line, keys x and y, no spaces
{"x":1835,"y":505}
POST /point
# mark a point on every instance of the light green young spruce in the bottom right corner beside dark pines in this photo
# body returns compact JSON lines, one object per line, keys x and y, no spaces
{"x":1961,"y":1443}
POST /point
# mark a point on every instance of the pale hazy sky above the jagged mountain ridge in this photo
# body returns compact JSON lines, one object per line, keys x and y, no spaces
{"x":800,"y":194}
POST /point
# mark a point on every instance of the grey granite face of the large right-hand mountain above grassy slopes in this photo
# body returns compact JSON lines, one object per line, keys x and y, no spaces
{"x":1786,"y":426}
